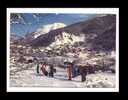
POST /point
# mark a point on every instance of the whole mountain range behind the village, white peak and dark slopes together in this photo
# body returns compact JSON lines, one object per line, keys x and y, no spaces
{"x":98,"y":33}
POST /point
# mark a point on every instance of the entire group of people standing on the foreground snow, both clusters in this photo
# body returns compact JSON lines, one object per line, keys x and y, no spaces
{"x":72,"y":70}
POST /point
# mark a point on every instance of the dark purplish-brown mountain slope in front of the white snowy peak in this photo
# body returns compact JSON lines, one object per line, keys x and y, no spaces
{"x":99,"y":33}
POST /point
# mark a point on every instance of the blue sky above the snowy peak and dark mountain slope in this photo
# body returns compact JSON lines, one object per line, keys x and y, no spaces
{"x":31,"y":23}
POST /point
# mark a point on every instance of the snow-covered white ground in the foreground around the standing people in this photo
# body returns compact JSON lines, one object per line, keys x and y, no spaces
{"x":29,"y":78}
